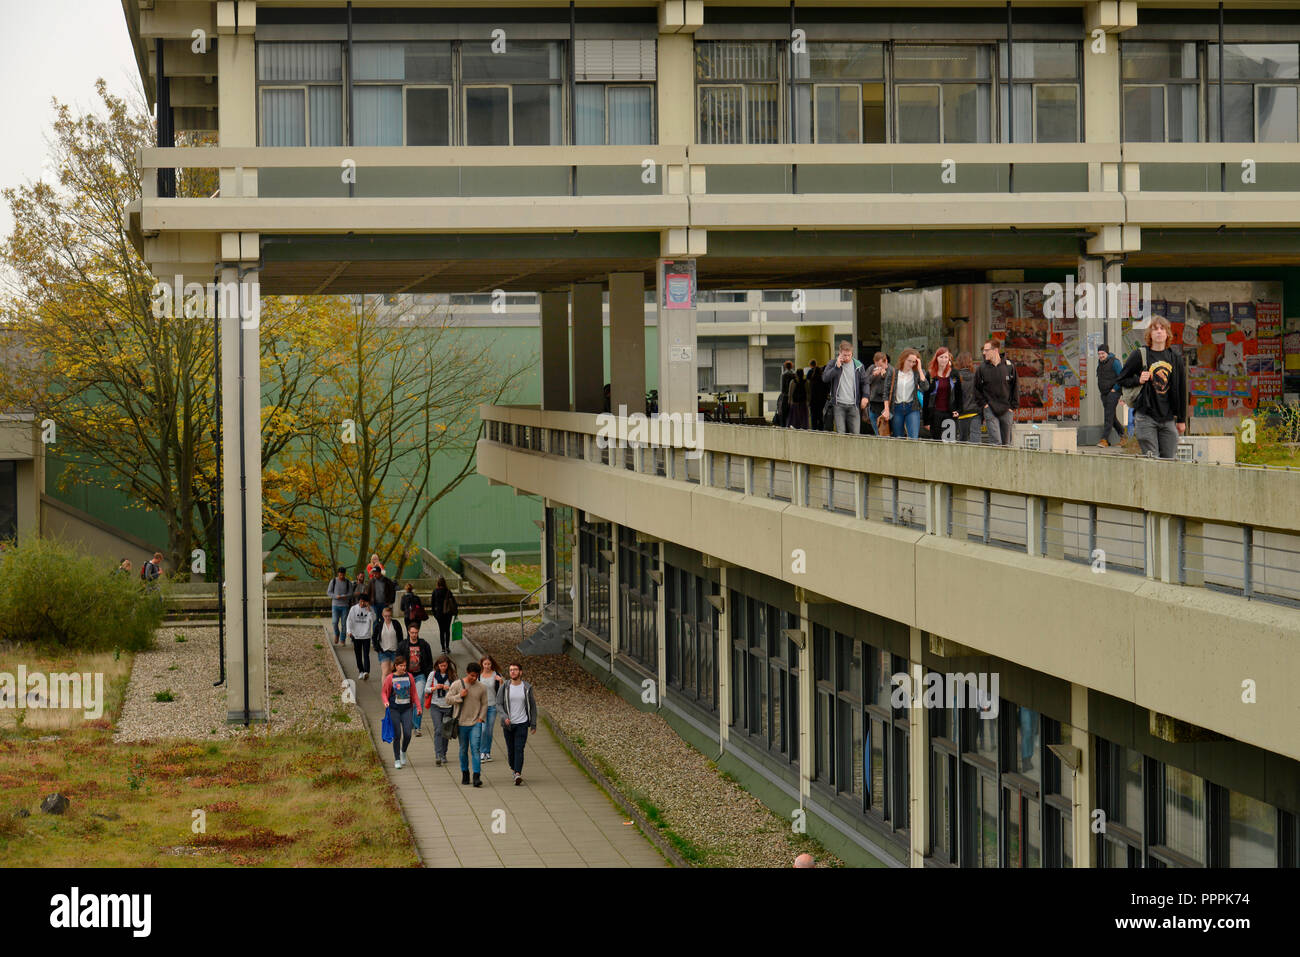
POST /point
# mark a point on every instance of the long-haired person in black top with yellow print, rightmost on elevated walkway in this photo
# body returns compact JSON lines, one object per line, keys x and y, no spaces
{"x":1160,"y":404}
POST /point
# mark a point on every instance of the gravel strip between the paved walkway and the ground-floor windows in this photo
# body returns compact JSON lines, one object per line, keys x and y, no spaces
{"x":697,"y":803}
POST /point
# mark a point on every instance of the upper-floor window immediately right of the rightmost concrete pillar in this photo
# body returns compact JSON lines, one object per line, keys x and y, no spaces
{"x":1160,"y":93}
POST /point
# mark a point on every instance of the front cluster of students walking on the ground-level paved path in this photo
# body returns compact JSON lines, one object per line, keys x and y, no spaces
{"x":462,"y":708}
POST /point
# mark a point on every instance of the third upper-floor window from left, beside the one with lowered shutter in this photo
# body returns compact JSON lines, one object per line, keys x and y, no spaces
{"x":515,"y":99}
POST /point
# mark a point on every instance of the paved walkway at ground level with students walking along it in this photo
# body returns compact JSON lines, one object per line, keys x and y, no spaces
{"x":557,"y":819}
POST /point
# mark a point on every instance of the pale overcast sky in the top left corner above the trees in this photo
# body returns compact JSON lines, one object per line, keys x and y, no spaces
{"x":54,"y":49}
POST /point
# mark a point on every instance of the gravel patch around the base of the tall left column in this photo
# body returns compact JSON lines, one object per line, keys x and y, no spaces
{"x":305,"y":687}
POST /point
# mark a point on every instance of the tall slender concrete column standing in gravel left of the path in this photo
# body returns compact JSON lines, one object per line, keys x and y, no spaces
{"x":241,"y":425}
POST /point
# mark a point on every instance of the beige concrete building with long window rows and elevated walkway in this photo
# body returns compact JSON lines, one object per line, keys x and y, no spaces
{"x":1133,"y":622}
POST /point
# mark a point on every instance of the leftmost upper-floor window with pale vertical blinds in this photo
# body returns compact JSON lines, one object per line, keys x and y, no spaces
{"x":301,"y":94}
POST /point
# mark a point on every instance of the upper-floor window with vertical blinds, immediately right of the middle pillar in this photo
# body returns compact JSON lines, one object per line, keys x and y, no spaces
{"x":739,"y":92}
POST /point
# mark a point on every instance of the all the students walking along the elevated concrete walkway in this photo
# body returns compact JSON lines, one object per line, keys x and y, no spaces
{"x":959,"y":401}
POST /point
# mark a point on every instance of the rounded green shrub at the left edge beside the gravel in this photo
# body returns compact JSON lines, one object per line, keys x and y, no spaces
{"x":53,"y":595}
